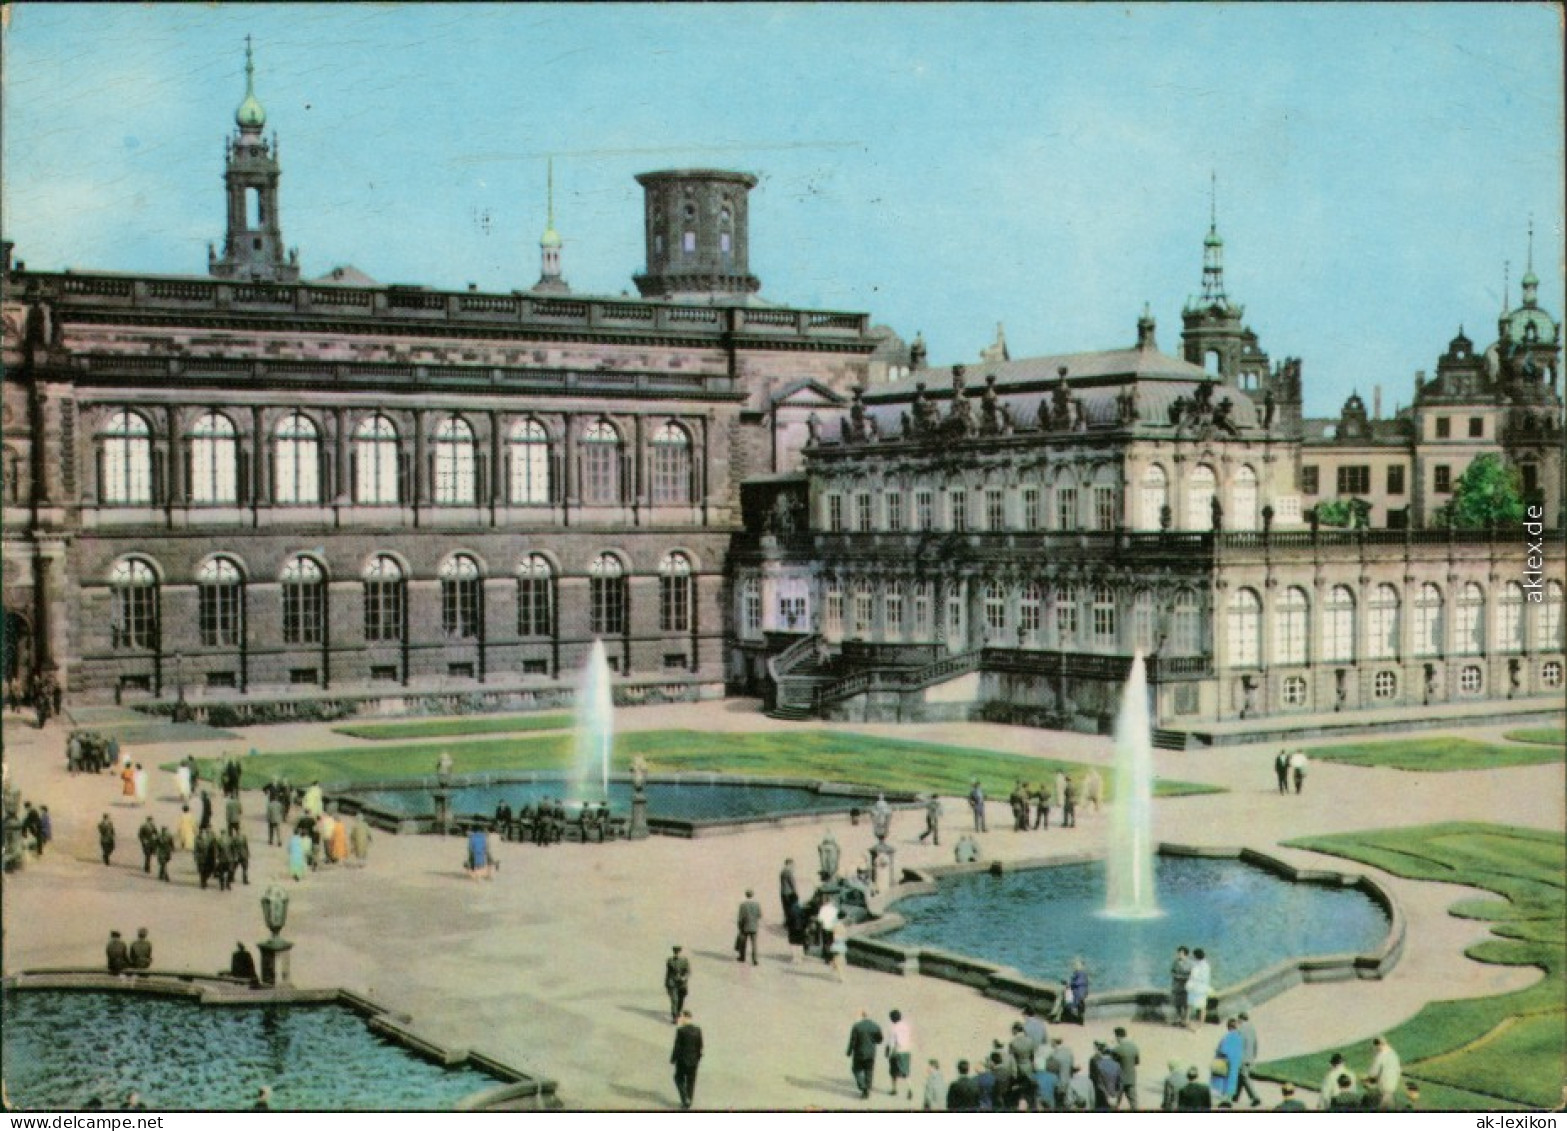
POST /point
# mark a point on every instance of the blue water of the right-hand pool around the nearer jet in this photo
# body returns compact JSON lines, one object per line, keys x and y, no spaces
{"x":1040,"y":920}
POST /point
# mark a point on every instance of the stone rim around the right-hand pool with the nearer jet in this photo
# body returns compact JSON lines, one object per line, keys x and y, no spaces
{"x":869,"y":949}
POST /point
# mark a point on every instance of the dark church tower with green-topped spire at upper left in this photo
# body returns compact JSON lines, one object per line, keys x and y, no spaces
{"x":253,"y":247}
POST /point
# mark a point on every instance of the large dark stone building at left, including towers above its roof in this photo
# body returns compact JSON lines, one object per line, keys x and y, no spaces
{"x":253,"y":485}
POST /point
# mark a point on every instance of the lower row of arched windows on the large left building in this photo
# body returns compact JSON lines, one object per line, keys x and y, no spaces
{"x":220,"y":588}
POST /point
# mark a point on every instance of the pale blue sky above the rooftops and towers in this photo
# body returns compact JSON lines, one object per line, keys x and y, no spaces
{"x":943,"y":167}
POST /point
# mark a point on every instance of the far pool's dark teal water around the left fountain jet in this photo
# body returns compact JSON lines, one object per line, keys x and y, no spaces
{"x":695,"y":804}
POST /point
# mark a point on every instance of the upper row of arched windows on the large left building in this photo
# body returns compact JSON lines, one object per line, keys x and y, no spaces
{"x":131,"y":468}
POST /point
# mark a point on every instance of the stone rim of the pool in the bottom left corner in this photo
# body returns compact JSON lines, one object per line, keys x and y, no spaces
{"x":512,"y":1088}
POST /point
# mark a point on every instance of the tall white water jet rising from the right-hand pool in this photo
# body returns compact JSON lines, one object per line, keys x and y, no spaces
{"x":1129,"y":891}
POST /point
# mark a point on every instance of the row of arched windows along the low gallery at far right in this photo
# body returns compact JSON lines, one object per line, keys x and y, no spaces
{"x":1337,"y":624}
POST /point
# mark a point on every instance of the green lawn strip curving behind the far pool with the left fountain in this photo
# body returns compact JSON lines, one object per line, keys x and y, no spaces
{"x":819,"y":756}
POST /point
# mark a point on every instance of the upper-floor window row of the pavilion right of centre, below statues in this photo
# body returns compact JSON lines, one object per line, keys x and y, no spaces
{"x":1093,"y":507}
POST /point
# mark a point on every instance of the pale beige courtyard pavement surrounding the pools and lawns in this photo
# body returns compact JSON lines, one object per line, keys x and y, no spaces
{"x":557,"y":966}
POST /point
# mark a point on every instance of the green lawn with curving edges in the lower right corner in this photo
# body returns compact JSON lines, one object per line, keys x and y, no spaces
{"x":1480,"y":1053}
